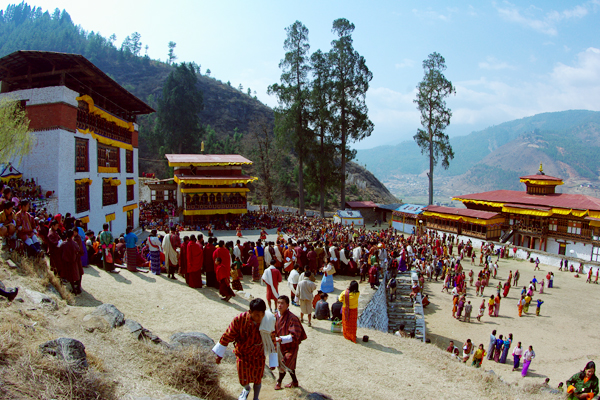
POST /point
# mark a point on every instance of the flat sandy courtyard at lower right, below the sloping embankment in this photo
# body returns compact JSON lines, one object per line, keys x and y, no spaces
{"x":564,"y":336}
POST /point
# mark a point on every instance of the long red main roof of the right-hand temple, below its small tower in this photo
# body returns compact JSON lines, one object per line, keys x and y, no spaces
{"x":559,"y":200}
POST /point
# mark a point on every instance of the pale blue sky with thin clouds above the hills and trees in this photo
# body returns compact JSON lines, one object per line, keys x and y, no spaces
{"x":507,"y":60}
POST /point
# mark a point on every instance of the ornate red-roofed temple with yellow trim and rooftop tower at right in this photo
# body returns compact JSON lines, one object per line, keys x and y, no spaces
{"x":537,"y":218}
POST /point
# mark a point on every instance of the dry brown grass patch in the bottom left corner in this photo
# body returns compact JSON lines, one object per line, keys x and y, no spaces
{"x":34,"y":376}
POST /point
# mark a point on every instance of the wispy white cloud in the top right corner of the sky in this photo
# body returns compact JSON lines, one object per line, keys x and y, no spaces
{"x":547,"y":23}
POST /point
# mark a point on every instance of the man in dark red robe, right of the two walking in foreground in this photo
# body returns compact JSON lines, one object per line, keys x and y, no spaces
{"x":289,"y":334}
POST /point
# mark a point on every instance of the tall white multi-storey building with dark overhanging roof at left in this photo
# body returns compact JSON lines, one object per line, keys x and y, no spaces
{"x":85,"y":135}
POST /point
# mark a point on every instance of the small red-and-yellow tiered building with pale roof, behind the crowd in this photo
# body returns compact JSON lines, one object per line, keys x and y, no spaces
{"x":210,"y":186}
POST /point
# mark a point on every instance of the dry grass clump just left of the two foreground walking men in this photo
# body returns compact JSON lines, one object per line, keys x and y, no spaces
{"x":190,"y":370}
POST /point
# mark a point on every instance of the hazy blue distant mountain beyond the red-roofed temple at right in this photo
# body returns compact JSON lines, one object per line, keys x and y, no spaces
{"x":566,"y":143}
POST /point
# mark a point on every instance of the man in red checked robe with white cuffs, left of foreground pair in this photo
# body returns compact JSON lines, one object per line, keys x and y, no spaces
{"x":249,"y":350}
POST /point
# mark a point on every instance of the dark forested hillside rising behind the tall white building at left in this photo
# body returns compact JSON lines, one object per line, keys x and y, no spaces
{"x":228,"y":120}
